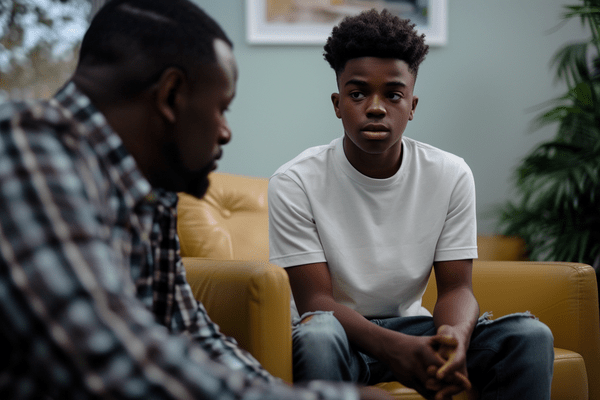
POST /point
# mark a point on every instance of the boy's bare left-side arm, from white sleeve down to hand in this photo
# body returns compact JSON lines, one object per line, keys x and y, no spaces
{"x":408,"y":356}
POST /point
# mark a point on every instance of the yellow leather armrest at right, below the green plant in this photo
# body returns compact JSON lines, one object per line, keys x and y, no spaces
{"x":562,"y":295}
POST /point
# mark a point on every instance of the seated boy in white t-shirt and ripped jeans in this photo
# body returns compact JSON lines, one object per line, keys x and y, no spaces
{"x":358,"y":224}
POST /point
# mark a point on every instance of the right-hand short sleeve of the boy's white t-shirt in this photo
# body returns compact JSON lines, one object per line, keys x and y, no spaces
{"x":458,"y":239}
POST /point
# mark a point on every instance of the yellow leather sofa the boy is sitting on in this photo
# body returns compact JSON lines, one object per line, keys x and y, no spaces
{"x":224,"y":242}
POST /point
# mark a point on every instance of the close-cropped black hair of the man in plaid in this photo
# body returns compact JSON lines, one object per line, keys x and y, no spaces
{"x":153,"y":35}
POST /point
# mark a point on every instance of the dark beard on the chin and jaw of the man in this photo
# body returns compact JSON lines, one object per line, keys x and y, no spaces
{"x":179,"y":178}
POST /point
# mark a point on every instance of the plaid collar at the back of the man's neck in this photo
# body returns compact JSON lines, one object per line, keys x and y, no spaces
{"x":105,"y":142}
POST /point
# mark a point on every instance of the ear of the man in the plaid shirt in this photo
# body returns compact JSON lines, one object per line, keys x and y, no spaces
{"x":169,"y":93}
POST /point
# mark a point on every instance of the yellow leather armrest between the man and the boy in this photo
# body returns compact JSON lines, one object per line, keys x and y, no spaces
{"x":250,"y":301}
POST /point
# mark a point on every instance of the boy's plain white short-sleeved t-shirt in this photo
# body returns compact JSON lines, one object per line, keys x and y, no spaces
{"x":379,"y":237}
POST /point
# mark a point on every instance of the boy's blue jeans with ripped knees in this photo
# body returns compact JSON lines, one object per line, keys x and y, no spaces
{"x":508,"y":358}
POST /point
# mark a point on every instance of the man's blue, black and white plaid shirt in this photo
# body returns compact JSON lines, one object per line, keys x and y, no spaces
{"x":89,"y":262}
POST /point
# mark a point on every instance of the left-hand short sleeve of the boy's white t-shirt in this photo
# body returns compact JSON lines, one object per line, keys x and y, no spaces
{"x":293,"y":236}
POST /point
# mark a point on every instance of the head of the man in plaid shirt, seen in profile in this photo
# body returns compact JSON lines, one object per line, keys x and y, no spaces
{"x":163,"y":74}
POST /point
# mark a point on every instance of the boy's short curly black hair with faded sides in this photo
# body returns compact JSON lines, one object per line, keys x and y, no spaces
{"x":374,"y":34}
